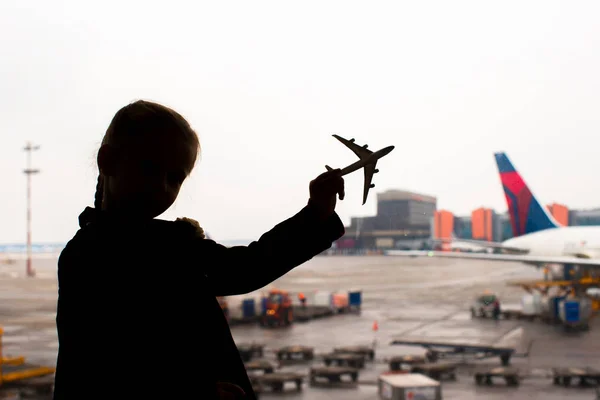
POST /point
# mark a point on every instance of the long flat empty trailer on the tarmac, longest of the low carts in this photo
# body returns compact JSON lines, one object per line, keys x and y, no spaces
{"x":459,"y":349}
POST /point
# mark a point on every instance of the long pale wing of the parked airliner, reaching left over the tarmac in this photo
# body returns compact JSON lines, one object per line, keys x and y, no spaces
{"x":528,"y":259}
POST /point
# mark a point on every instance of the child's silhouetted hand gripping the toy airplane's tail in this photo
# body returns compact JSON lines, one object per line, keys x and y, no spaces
{"x":323,"y":191}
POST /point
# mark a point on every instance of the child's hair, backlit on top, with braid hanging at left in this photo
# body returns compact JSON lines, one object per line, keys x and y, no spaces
{"x":139,"y":120}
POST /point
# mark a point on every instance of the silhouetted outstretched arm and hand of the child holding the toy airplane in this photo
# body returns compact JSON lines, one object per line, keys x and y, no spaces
{"x":243,"y":269}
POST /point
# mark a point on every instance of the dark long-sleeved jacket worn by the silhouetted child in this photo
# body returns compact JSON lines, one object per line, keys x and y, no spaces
{"x":137,"y":310}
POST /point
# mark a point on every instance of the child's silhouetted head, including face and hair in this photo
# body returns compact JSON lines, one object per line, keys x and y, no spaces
{"x":146,"y":154}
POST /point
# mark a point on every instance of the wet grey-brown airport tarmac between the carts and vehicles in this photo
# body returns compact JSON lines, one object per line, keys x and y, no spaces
{"x":407,"y":297}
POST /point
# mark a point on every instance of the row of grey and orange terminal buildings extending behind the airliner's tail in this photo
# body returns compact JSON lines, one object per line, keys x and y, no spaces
{"x":409,"y":220}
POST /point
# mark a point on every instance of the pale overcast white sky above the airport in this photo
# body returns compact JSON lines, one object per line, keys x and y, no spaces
{"x":266,"y":83}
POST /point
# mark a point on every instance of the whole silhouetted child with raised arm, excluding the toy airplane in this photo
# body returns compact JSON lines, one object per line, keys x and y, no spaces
{"x":137,"y":310}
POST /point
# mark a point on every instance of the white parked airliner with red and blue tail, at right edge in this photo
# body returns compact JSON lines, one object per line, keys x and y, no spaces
{"x":538,"y":238}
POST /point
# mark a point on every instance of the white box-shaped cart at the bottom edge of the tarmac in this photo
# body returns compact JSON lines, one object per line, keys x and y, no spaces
{"x":408,"y":386}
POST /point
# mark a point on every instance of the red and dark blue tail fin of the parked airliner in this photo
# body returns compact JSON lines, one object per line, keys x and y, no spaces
{"x":527,"y":215}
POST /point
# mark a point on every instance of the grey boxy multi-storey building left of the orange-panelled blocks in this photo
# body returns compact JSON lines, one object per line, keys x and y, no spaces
{"x":403,"y":220}
